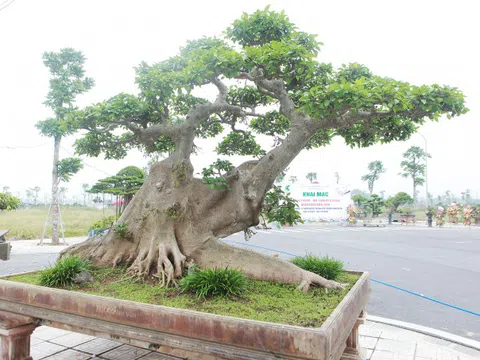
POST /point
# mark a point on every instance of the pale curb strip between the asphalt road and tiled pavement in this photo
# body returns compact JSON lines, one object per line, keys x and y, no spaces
{"x":427,"y":331}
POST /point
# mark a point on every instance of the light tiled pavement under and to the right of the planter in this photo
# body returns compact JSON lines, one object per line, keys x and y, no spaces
{"x":382,"y":342}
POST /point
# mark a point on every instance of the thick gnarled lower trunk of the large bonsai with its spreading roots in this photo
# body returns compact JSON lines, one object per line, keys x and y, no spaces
{"x":175,"y":220}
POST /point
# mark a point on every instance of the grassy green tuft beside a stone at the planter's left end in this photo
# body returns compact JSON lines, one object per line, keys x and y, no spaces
{"x":63,"y":272}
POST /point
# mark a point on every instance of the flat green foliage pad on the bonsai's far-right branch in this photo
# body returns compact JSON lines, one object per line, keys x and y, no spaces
{"x":399,"y":107}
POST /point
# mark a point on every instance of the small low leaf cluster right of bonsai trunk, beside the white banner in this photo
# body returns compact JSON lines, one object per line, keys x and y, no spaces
{"x":279,"y":207}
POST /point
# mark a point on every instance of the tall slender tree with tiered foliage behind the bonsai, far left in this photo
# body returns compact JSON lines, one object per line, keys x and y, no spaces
{"x":67,"y":80}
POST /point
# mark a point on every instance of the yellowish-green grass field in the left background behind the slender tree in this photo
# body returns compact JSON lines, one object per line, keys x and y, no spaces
{"x":28,"y":223}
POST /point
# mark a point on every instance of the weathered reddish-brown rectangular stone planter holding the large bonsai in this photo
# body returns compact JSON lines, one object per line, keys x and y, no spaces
{"x":176,"y":331}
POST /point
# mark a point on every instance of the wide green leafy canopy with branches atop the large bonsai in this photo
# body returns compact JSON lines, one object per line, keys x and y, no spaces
{"x":269,"y":82}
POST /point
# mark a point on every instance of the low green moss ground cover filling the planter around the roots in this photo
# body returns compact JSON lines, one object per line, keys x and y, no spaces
{"x":264,"y":301}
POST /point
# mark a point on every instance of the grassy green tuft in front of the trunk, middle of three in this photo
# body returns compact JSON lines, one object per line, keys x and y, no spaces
{"x":214,"y":282}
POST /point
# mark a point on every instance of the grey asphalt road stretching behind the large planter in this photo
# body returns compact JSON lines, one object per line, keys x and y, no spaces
{"x":441,"y":263}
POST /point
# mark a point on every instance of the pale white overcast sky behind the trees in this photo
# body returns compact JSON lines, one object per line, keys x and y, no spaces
{"x":420,"y":41}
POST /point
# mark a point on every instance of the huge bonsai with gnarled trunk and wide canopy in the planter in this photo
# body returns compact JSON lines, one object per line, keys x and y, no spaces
{"x":268,"y":81}
